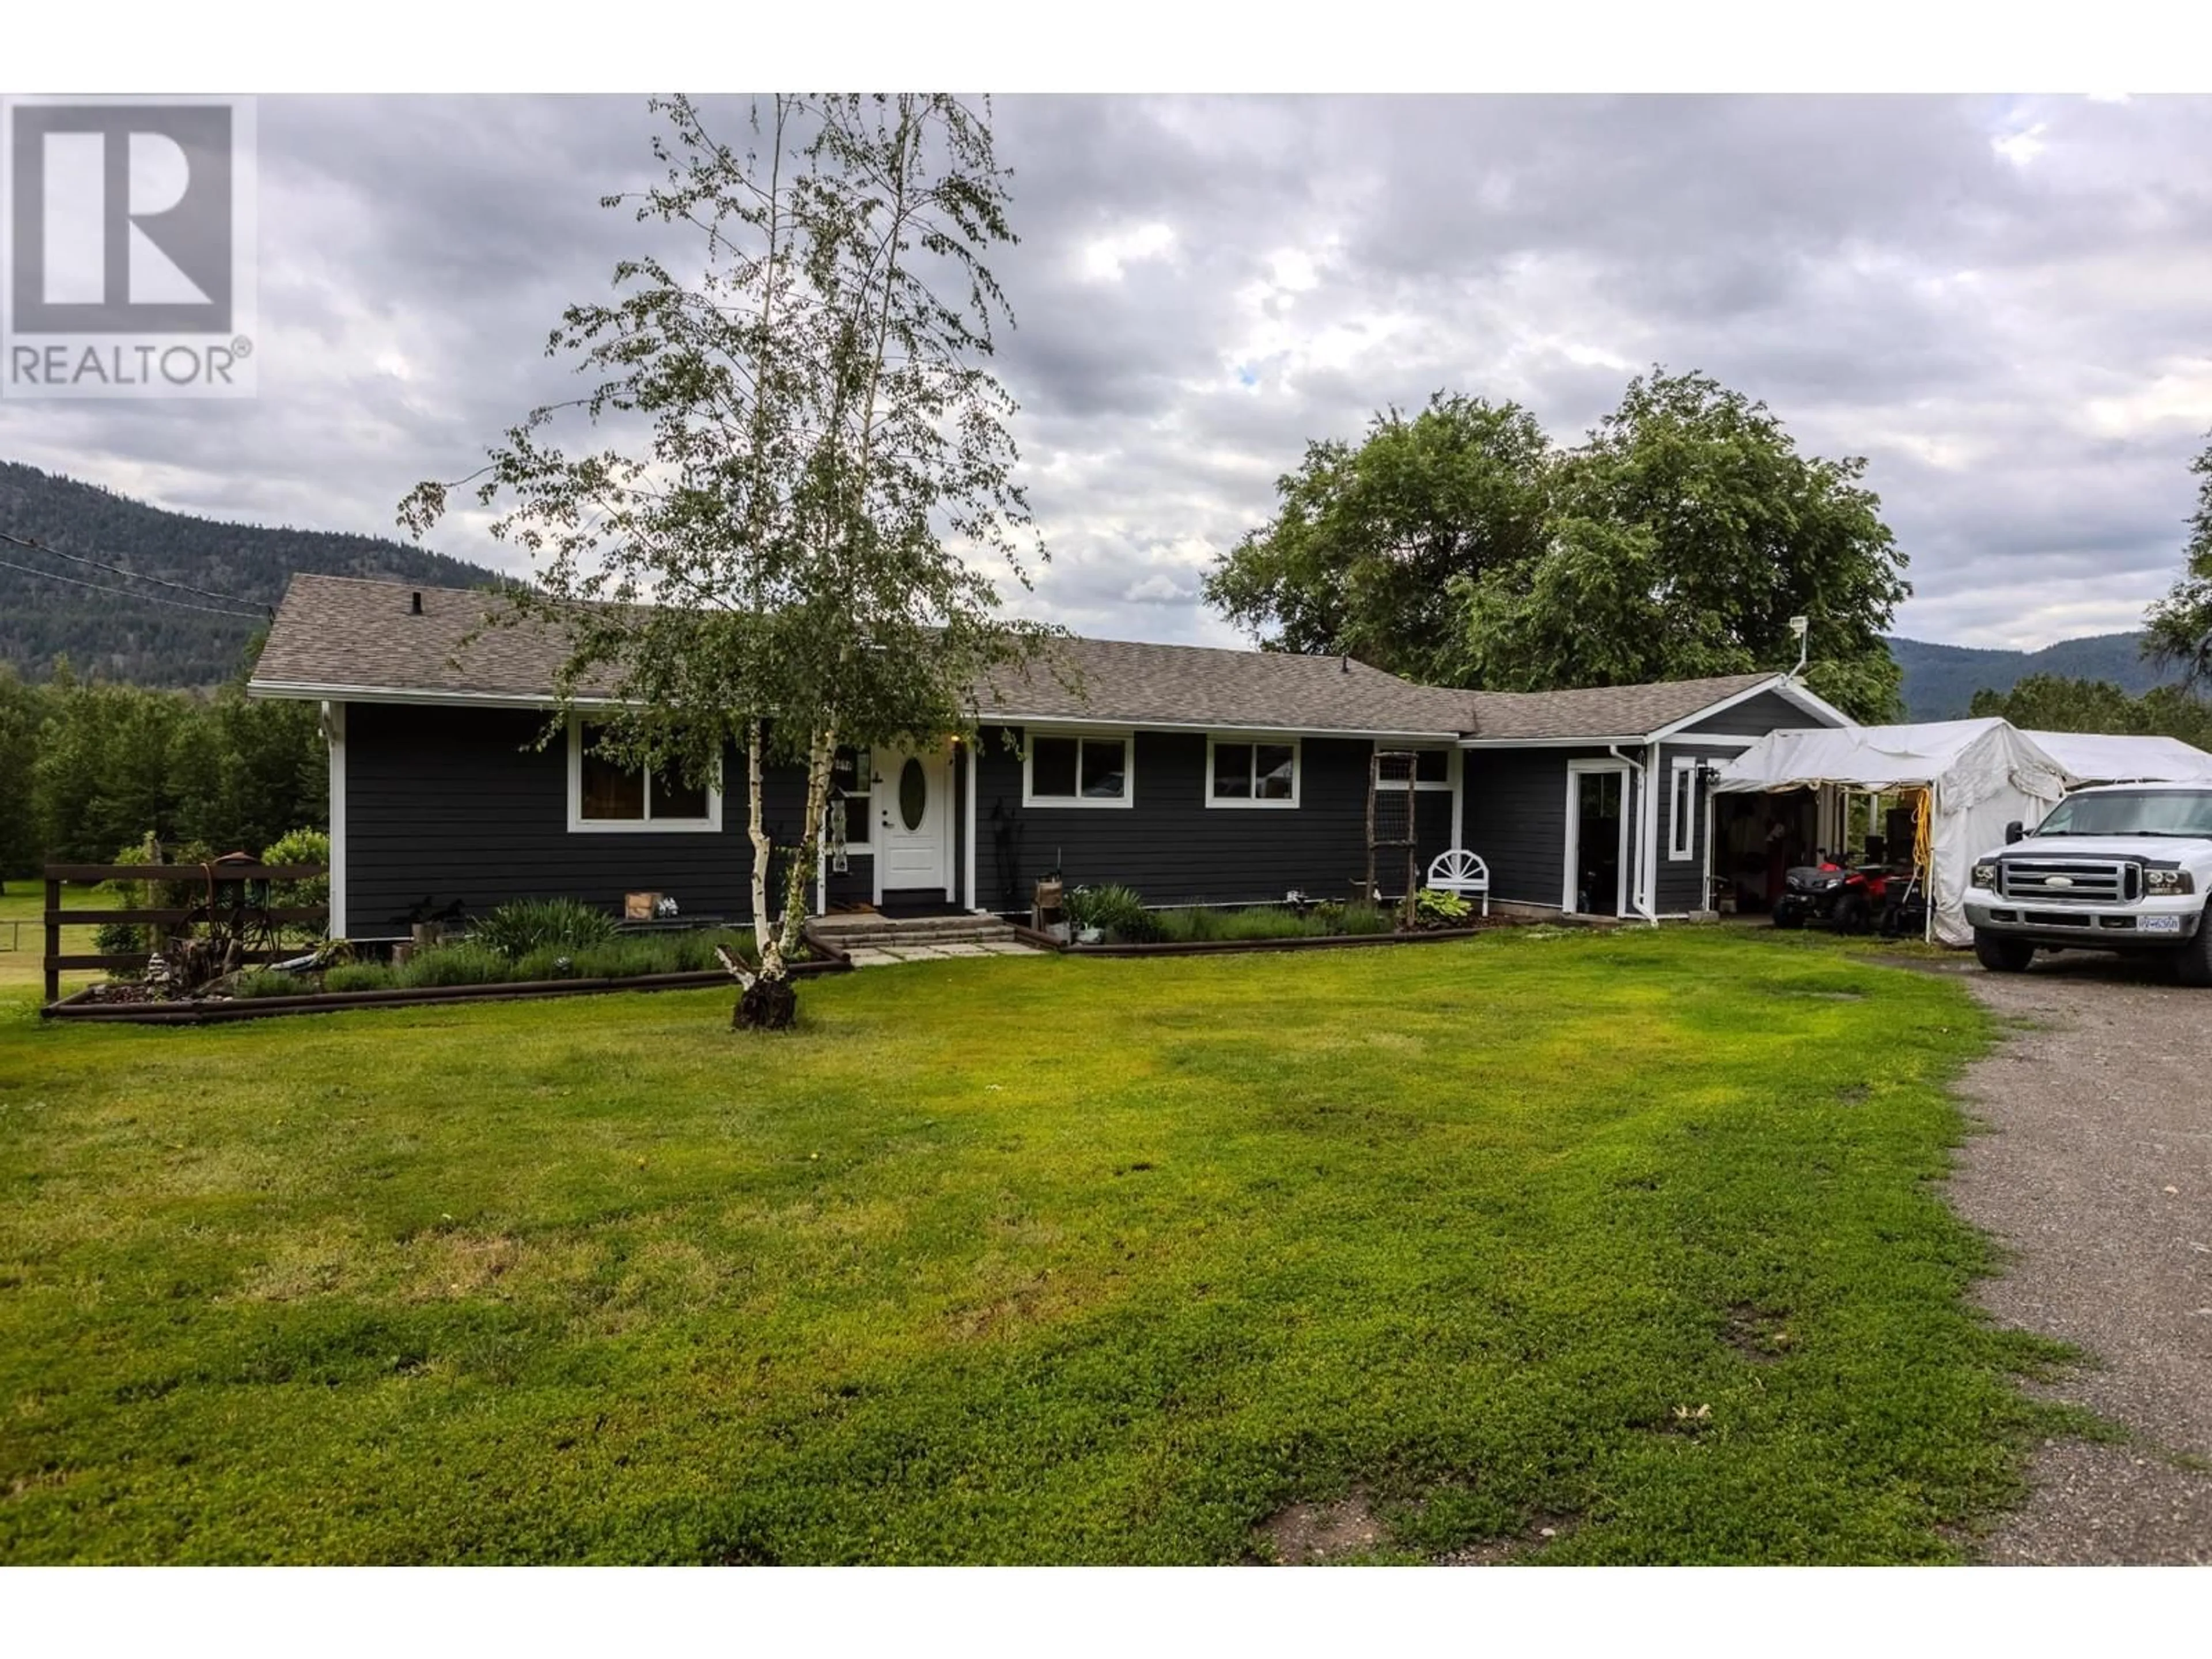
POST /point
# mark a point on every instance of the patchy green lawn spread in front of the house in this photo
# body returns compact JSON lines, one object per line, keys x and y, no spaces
{"x":1016,"y":1260}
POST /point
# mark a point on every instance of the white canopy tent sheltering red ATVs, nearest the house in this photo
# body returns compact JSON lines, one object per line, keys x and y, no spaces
{"x":1979,"y":778}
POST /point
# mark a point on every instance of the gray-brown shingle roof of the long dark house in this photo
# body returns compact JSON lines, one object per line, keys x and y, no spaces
{"x":337,"y":636}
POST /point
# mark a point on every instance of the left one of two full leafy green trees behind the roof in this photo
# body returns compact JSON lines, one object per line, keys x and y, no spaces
{"x":1370,"y":539}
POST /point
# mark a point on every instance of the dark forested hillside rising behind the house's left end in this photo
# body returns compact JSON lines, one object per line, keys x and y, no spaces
{"x":136,"y":632}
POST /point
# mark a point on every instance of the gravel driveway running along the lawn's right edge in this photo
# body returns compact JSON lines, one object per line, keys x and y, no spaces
{"x":2100,"y":1180}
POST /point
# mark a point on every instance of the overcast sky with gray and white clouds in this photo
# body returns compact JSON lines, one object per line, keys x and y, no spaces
{"x":2003,"y":304}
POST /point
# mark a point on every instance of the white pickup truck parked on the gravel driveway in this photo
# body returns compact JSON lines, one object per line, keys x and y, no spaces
{"x":2122,"y":868}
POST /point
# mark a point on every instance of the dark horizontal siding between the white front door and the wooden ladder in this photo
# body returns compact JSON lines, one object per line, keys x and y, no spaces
{"x":1173,"y":848}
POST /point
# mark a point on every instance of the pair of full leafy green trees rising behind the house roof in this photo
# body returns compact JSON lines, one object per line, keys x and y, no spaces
{"x":1676,"y":543}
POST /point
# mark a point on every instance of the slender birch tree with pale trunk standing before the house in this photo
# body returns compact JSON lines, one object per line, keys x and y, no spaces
{"x":789,"y":539}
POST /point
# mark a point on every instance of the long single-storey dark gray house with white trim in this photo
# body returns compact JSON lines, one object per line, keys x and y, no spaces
{"x":1193,"y":775}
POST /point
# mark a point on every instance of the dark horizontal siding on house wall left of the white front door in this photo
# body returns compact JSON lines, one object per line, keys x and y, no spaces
{"x":450,"y":804}
